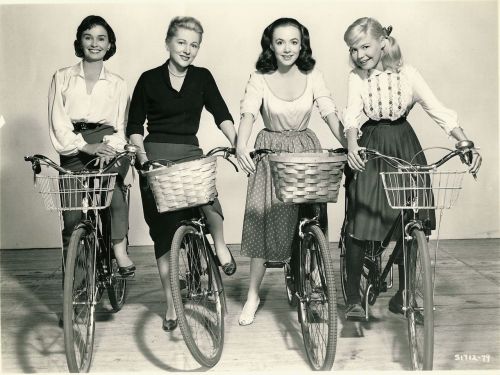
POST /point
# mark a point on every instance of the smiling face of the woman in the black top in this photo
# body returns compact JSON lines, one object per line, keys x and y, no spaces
{"x":183,"y":47}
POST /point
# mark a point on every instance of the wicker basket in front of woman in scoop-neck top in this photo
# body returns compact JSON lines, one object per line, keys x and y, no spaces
{"x":307,"y":177}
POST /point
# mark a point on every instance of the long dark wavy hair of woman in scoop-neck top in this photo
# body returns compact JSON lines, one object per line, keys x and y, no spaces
{"x":267,"y":60}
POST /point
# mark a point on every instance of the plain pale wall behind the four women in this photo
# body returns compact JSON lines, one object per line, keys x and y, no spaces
{"x":453,"y":44}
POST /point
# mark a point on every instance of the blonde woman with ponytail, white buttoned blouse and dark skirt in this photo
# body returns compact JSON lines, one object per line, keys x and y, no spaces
{"x":382,"y":91}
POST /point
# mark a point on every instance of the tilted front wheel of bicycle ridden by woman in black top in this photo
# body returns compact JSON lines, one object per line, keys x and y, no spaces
{"x":200,"y":304}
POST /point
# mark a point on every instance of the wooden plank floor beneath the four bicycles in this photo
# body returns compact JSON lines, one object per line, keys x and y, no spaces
{"x":467,"y":333}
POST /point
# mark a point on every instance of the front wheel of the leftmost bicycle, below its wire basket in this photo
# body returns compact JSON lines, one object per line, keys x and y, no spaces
{"x":78,"y":300}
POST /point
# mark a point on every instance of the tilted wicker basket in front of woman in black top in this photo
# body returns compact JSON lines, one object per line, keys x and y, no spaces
{"x":183,"y":185}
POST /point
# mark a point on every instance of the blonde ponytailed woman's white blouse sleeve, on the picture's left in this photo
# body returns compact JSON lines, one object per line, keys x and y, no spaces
{"x":353,"y":116}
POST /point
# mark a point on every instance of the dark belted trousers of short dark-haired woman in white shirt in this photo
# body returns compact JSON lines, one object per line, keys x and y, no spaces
{"x":119,"y":205}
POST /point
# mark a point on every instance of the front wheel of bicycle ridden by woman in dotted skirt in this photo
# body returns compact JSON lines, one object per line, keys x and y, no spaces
{"x":317,"y":307}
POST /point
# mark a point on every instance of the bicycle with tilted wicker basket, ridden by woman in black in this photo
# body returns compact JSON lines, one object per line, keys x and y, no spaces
{"x":197,"y":289}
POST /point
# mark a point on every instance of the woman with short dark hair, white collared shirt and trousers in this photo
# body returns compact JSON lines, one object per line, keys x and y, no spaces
{"x":87,"y":113}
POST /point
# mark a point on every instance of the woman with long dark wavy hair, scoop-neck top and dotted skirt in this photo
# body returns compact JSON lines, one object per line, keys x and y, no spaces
{"x":283,"y":90}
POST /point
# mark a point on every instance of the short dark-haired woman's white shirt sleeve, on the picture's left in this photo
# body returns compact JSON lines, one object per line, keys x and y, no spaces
{"x":60,"y":126}
